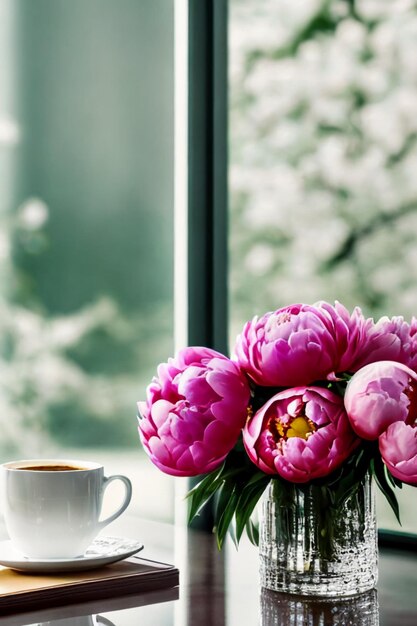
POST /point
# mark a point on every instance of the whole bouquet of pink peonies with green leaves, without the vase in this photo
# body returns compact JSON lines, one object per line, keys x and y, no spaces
{"x":313,"y":394}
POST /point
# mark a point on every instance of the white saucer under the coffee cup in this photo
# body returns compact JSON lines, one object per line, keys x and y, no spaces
{"x":103,"y":550}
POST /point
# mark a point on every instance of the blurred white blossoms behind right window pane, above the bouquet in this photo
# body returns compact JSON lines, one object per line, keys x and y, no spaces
{"x":323,"y":151}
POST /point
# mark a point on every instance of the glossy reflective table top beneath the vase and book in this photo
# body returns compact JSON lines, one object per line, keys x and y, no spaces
{"x":222,"y":589}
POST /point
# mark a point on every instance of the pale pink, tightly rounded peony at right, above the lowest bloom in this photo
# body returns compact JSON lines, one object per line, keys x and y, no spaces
{"x":378,"y":395}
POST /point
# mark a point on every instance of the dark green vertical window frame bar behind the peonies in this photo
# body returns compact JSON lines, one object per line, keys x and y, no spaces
{"x":207,"y":189}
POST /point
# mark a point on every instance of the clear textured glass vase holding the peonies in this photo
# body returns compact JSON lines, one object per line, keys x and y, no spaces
{"x":308,"y":548}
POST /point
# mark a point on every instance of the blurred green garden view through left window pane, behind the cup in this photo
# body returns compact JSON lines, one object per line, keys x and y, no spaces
{"x":86,"y":141}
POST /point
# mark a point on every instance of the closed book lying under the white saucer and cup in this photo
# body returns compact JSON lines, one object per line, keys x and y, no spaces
{"x":23,"y":592}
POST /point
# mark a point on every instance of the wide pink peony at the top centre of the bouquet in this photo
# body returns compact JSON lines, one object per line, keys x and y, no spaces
{"x":301,"y":343}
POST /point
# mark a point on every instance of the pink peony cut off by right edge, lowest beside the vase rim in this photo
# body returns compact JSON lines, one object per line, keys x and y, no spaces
{"x":398,"y":447}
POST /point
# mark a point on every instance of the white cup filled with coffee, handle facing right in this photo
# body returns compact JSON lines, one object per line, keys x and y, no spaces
{"x":52,"y":507}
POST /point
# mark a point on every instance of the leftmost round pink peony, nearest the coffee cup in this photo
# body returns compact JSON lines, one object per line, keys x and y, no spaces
{"x":194,"y":412}
